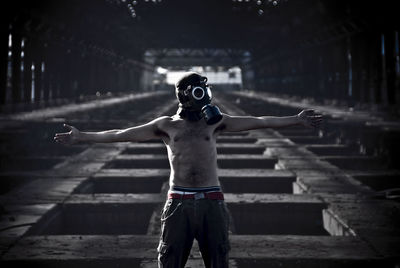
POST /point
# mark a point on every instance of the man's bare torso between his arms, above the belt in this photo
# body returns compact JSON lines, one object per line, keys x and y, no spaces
{"x":192,"y":152}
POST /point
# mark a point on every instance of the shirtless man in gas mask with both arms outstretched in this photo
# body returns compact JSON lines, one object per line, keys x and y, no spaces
{"x":195,"y":208}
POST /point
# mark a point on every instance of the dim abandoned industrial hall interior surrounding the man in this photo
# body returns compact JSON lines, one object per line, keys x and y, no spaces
{"x":297,"y":197}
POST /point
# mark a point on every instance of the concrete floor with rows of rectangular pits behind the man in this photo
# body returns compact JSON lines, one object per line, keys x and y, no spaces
{"x":297,"y":197}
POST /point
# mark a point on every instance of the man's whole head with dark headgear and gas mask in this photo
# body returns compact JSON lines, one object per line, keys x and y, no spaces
{"x":194,"y":97}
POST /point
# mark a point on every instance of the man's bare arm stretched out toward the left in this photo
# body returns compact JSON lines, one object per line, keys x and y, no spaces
{"x":139,"y":133}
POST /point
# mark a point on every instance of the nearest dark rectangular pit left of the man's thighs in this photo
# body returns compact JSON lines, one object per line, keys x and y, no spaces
{"x":95,"y":219}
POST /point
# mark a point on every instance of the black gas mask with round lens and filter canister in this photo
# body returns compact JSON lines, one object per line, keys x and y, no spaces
{"x":195,"y":103}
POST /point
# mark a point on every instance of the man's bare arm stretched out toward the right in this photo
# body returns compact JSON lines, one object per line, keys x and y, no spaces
{"x":306,"y":118}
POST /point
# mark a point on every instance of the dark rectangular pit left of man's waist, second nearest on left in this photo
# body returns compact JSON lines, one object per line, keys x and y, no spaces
{"x":121,"y":185}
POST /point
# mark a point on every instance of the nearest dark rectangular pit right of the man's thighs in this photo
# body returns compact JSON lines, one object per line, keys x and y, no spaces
{"x":276,"y":214}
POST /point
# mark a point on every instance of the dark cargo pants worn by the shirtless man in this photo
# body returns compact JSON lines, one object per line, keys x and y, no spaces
{"x":184,"y":220}
